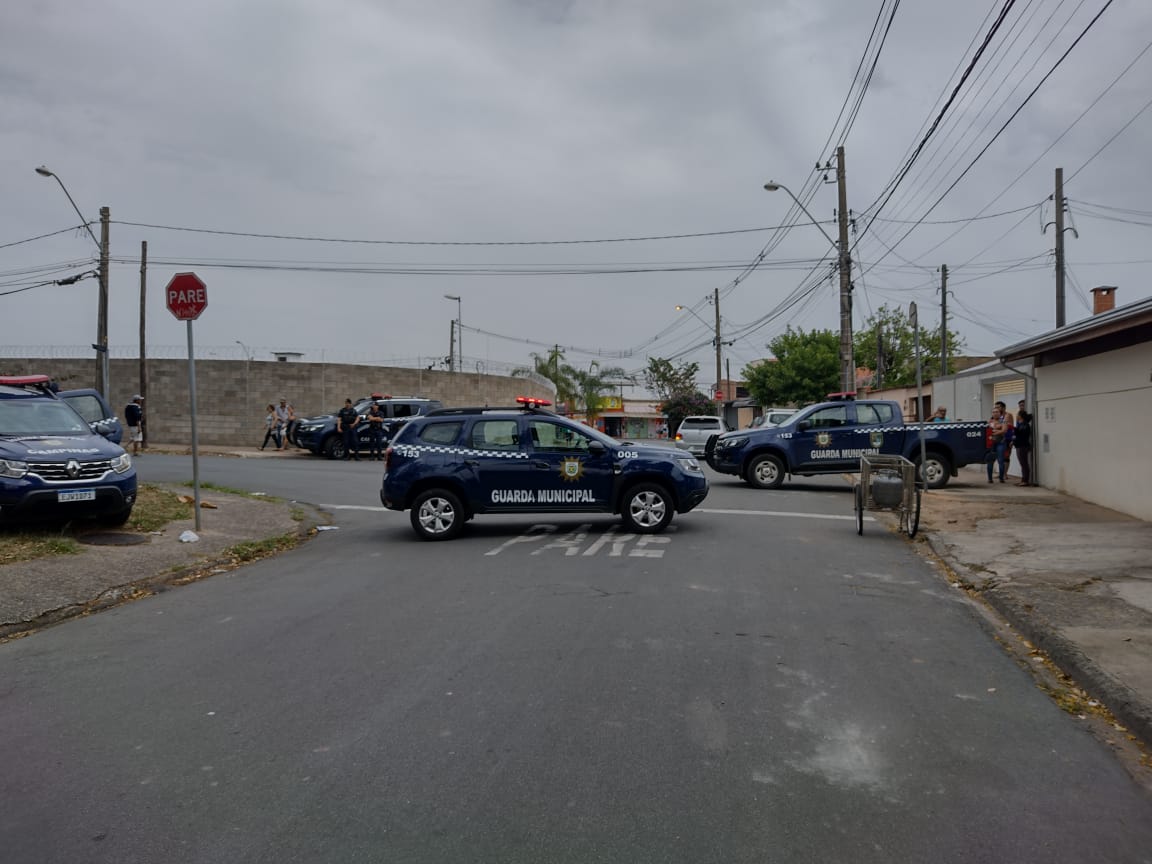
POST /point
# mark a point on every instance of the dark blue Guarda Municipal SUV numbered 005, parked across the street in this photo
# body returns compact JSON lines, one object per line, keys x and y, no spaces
{"x":457,"y":463}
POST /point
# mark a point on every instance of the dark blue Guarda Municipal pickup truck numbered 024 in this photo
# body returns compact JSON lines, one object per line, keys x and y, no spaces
{"x":831,"y":438}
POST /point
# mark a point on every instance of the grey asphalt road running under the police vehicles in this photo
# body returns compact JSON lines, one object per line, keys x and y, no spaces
{"x":759,"y":685}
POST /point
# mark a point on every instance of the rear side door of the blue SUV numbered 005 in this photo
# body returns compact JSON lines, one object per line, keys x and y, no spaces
{"x":497,"y":463}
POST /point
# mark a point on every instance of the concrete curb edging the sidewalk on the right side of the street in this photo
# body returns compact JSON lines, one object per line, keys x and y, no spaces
{"x":1125,"y":703}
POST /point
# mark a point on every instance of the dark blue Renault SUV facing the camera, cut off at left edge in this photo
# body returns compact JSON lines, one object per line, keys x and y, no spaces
{"x":54,"y":466}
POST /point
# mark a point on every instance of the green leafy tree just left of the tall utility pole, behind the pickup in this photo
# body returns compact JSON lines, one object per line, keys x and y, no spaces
{"x":807,"y":369}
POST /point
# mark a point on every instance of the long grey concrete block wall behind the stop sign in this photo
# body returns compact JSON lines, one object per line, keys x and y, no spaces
{"x":232,"y":396}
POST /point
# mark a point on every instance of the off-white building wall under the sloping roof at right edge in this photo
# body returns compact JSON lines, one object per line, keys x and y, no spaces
{"x":1093,"y":429}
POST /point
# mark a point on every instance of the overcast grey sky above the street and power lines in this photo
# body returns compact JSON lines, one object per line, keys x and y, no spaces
{"x":452,"y":139}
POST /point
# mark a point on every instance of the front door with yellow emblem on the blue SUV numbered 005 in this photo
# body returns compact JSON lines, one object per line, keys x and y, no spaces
{"x":571,"y":471}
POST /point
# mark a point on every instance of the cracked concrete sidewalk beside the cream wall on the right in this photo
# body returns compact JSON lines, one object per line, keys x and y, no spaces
{"x":1074,"y":579}
